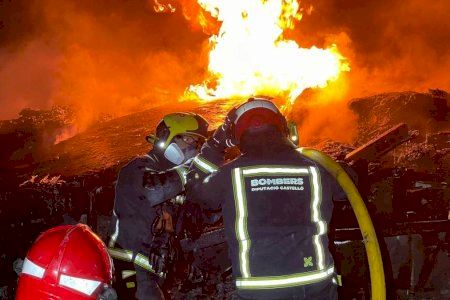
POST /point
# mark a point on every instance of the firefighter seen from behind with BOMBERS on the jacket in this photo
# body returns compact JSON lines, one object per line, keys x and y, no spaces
{"x":276,"y":206}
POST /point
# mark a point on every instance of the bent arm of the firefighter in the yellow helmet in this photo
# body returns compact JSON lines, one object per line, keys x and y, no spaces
{"x":162,"y":186}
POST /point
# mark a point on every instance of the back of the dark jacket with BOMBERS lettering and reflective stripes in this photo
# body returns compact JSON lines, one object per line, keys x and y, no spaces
{"x":277,"y":219}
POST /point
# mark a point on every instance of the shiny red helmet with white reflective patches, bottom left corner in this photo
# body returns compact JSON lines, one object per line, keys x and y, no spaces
{"x":65,"y":262}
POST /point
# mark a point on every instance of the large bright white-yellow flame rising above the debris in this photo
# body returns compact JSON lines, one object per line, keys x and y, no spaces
{"x":249,"y":55}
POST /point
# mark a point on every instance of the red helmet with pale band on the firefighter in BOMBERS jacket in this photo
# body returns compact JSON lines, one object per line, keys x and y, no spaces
{"x":255,"y":113}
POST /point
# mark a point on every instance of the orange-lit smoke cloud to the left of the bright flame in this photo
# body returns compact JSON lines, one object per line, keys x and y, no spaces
{"x":100,"y":57}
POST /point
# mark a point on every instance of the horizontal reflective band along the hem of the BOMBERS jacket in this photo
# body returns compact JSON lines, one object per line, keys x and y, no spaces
{"x":274,"y":282}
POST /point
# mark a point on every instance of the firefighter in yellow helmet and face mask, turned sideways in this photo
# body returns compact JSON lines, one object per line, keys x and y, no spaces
{"x":142,"y":188}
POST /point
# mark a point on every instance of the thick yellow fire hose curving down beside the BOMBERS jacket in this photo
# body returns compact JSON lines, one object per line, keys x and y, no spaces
{"x":362,"y":215}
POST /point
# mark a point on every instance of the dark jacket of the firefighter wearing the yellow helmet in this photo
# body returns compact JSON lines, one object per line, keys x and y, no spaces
{"x":141,"y":185}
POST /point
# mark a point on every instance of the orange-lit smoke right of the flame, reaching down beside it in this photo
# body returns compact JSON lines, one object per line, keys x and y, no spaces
{"x":391,"y":45}
